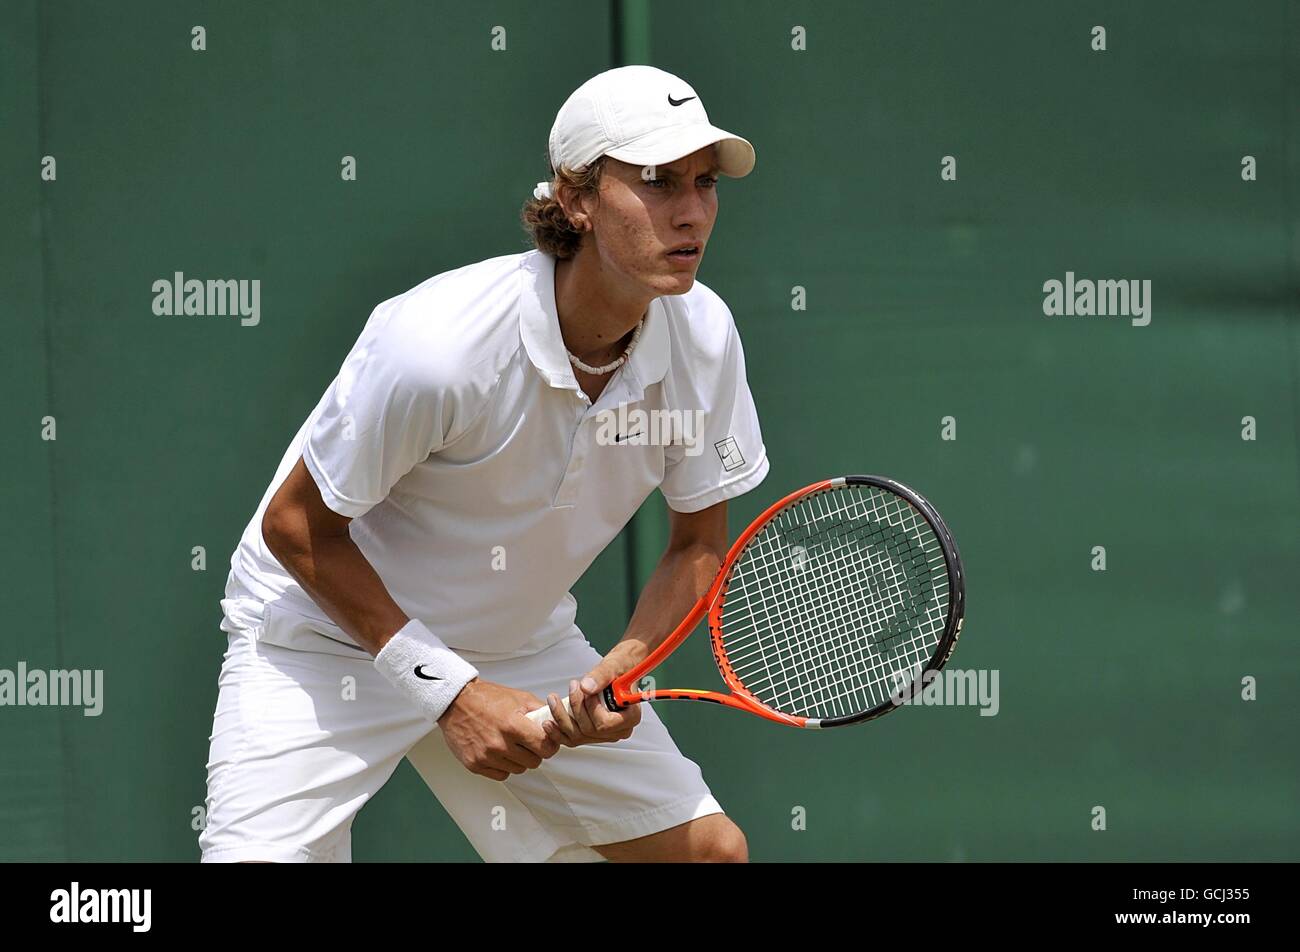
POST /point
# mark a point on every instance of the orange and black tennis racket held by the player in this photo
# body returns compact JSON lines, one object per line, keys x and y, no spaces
{"x":829,"y":609}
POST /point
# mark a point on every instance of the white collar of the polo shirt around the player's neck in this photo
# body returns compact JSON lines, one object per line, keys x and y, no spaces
{"x":540,"y":328}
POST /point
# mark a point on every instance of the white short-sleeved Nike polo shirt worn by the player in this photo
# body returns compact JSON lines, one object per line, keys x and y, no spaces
{"x":480,"y":479}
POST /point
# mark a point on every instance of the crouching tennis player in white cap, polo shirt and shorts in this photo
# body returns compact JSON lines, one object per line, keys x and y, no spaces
{"x":404,"y":588}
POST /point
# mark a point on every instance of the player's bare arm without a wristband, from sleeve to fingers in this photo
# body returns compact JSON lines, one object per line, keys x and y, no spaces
{"x":697,"y":546}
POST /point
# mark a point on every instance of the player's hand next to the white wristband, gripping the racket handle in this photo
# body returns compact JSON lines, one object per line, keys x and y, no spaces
{"x":488,"y":732}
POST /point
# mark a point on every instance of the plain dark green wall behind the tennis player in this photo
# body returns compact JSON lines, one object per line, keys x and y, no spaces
{"x":1120,"y":689}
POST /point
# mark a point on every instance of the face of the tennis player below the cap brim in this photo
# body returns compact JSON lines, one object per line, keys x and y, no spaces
{"x":645,"y":213}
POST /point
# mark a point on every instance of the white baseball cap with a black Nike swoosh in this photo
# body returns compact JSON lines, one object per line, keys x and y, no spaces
{"x":643,"y":116}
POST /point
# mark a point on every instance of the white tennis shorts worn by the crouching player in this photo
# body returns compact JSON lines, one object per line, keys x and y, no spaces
{"x":301,"y":741}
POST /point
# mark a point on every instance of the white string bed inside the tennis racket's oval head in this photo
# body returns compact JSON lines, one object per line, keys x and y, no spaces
{"x":839,"y":602}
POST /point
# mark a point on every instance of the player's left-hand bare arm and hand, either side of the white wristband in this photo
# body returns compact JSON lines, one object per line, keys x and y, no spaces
{"x":484,"y":725}
